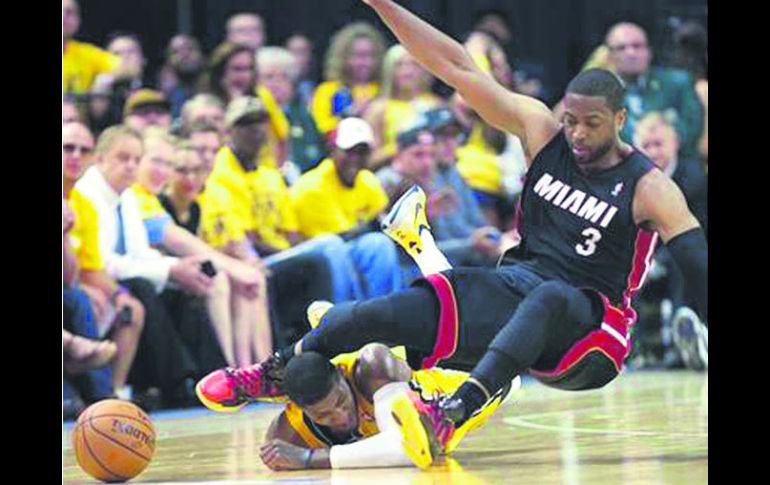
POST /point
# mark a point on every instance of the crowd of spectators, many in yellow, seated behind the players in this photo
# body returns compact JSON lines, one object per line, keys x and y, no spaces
{"x":206,"y":206}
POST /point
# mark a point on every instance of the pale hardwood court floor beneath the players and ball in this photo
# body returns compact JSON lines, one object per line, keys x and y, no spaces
{"x":644,"y":428}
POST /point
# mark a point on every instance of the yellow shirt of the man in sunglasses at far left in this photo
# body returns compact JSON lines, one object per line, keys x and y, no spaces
{"x":84,"y":235}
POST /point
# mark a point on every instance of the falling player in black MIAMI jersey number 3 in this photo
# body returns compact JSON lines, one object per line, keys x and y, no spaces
{"x":559,"y":304}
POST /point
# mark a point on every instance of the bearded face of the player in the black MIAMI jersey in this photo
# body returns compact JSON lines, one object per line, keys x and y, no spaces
{"x":591,"y":127}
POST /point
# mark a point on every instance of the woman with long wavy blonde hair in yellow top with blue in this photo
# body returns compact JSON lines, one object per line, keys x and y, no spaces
{"x":351,"y":75}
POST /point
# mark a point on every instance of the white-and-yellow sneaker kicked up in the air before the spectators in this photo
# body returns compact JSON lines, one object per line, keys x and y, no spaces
{"x":406,"y":221}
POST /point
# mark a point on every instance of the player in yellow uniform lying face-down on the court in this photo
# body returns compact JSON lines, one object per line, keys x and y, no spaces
{"x":344,"y":413}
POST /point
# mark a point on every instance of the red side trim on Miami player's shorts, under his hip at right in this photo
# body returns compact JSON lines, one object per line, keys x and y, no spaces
{"x":612,"y":339}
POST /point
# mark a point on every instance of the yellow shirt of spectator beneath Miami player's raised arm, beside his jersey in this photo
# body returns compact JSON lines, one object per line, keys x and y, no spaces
{"x":478,"y":164}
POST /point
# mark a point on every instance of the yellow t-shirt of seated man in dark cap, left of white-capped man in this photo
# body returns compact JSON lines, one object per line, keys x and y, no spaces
{"x":261,"y":201}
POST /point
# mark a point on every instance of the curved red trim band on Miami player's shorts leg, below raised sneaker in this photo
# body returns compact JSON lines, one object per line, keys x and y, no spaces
{"x":448,"y":321}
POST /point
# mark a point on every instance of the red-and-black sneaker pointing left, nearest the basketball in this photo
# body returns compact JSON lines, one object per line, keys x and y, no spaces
{"x":229,"y":389}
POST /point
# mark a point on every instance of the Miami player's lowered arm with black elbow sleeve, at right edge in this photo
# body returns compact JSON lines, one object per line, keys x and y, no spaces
{"x":659,"y":204}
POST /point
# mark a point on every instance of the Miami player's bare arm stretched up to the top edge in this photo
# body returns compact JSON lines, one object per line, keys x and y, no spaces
{"x":521,"y":115}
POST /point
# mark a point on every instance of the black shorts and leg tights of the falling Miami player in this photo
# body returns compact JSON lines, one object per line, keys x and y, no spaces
{"x":487,"y":302}
